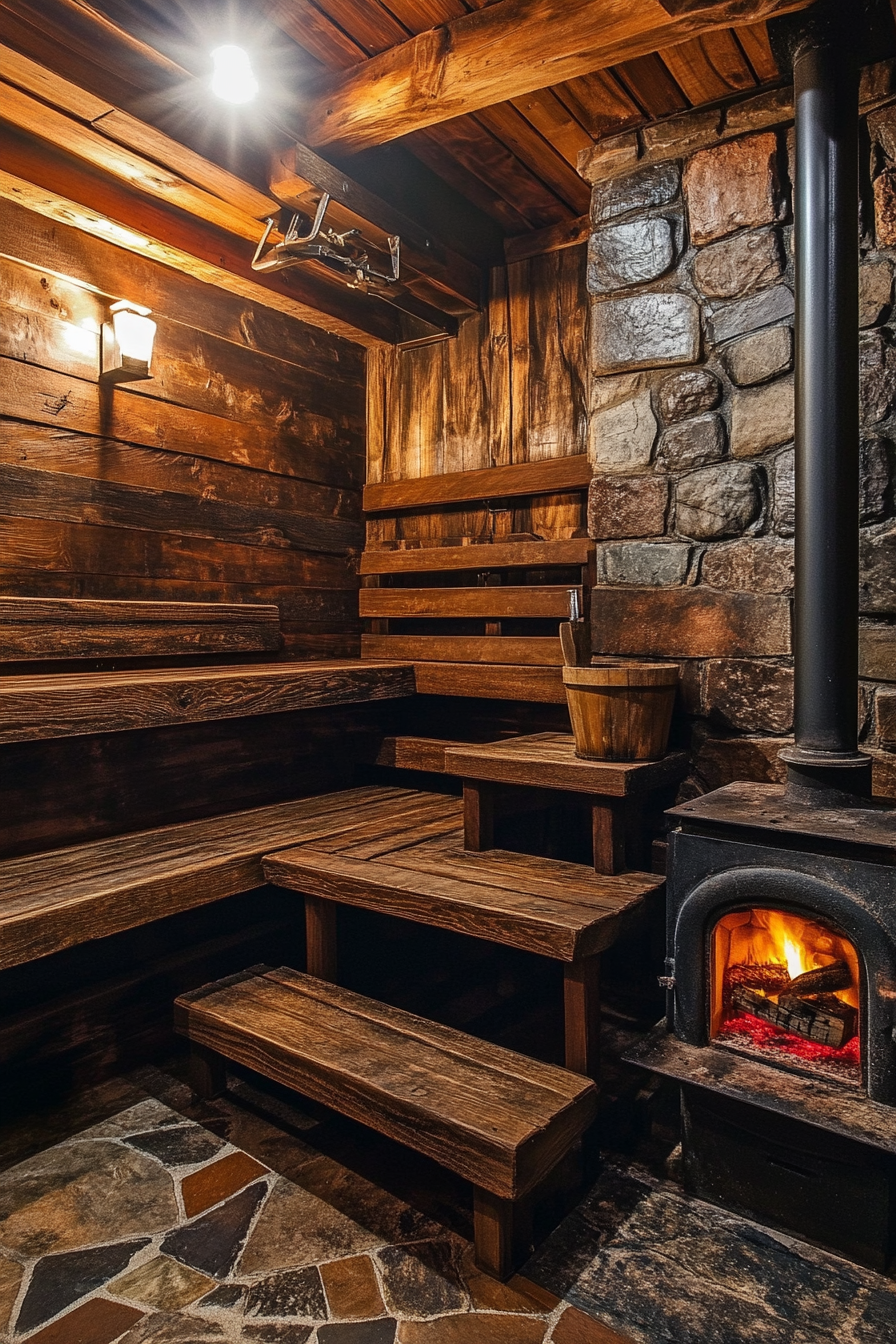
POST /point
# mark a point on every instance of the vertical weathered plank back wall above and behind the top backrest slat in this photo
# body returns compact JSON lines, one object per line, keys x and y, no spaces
{"x":511,"y":389}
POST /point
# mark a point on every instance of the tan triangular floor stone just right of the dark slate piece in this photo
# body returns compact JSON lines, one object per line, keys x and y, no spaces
{"x":298,"y":1229}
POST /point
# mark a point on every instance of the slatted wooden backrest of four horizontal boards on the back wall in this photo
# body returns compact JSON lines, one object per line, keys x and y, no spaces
{"x":503,"y":581}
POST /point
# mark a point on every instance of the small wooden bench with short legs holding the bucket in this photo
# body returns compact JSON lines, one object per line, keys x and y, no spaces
{"x":496,"y":775}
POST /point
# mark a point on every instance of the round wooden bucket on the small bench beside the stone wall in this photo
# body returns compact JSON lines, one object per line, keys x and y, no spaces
{"x":621,"y":712}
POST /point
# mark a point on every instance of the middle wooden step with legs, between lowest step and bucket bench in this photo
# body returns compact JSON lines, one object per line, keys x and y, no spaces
{"x":413,"y":865}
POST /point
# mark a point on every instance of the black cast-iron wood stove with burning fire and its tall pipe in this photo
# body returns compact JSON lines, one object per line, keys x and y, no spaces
{"x":781,"y":968}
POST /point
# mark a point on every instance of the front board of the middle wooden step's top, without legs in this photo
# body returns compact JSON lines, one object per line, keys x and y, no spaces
{"x":511,"y":916}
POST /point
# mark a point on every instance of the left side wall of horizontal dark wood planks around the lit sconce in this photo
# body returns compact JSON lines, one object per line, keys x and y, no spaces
{"x":233,"y":476}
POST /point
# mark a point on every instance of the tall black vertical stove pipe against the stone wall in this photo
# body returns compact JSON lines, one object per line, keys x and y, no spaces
{"x":825,"y":765}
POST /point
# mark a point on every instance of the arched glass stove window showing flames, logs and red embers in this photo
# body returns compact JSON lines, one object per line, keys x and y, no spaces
{"x":787,"y":989}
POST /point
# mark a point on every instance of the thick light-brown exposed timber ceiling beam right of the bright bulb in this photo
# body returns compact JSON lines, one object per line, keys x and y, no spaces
{"x":504,"y":52}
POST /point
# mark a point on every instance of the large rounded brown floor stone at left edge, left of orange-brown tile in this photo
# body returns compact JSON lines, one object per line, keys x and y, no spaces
{"x":81,"y":1194}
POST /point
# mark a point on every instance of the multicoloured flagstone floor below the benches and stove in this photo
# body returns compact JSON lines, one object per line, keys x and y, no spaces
{"x":152,"y":1226}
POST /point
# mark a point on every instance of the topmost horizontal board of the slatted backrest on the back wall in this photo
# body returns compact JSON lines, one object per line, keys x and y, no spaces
{"x":553,"y":475}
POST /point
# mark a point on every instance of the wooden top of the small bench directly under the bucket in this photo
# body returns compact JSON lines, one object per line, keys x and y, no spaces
{"x":549,"y":761}
